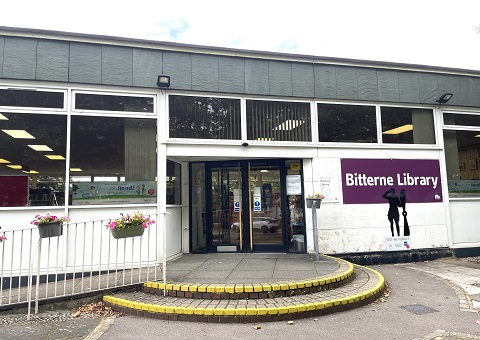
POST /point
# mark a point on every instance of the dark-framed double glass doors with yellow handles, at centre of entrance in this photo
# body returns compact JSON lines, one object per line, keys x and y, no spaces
{"x":246,"y":207}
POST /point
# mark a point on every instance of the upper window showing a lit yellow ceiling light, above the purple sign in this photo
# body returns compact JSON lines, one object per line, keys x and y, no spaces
{"x":407,"y":125}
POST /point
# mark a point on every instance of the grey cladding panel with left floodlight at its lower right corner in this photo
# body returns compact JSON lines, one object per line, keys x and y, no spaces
{"x":147,"y":66}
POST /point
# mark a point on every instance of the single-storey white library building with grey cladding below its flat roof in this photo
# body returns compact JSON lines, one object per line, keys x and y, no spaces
{"x":228,"y":148}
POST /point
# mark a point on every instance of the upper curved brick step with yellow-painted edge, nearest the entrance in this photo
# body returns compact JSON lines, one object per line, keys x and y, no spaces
{"x":235,"y":291}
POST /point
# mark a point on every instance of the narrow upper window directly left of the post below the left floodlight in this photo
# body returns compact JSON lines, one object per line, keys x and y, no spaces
{"x":84,"y":101}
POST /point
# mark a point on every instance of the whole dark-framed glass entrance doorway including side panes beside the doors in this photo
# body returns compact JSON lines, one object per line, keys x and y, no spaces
{"x":247,"y":207}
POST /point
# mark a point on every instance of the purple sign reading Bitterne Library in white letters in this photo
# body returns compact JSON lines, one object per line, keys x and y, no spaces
{"x":367,"y":180}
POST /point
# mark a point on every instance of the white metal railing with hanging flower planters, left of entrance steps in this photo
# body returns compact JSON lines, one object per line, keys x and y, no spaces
{"x":86,"y":258}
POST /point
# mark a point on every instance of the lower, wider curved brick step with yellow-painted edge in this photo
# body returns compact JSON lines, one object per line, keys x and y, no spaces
{"x":366,"y":287}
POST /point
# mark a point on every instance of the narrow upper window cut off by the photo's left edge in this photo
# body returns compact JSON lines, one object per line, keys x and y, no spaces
{"x":31,"y":98}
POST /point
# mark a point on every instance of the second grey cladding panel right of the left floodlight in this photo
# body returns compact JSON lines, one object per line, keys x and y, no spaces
{"x":204,"y":73}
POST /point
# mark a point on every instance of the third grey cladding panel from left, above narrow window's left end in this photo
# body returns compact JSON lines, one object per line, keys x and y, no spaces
{"x":85,"y":63}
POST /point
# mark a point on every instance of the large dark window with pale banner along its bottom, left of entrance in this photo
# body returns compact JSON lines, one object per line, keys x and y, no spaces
{"x":119,"y":156}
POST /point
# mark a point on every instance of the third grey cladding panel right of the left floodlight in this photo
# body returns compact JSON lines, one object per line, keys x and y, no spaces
{"x":231,"y":75}
